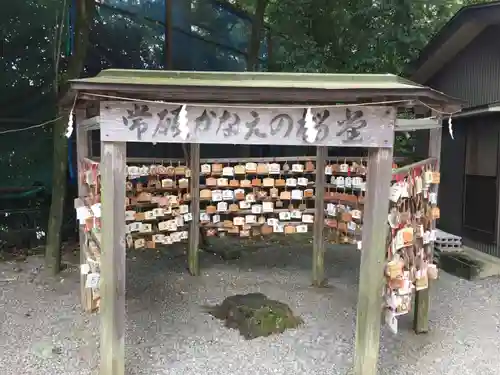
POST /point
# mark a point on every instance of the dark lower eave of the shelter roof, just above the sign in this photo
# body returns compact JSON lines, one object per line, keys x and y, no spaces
{"x":204,"y":94}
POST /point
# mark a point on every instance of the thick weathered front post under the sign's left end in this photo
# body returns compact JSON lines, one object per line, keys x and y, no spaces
{"x":112,"y":283}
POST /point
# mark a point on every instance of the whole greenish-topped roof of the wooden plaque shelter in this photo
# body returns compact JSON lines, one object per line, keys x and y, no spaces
{"x":252,"y":87}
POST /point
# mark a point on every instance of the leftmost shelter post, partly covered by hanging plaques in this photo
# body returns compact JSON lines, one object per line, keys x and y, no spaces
{"x":82,"y":151}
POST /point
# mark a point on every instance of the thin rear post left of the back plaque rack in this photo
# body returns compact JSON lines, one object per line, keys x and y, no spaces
{"x":194,"y":228}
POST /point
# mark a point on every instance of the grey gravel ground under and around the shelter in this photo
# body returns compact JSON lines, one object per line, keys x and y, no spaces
{"x":43,"y":331}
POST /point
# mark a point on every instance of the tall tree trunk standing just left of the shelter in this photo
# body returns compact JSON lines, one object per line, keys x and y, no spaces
{"x":84,"y":16}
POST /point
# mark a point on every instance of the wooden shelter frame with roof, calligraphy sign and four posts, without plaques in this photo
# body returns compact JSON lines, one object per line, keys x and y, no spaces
{"x":271,"y":109}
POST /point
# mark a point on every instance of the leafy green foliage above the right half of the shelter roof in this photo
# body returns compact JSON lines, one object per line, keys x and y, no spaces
{"x":346,"y":36}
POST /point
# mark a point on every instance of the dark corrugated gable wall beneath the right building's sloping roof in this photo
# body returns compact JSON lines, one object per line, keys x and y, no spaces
{"x":474,"y":74}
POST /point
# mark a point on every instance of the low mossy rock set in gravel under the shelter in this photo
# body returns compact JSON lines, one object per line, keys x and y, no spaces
{"x":255,"y":315}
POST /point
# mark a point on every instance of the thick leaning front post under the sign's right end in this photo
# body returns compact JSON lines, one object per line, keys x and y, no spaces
{"x":373,"y":255}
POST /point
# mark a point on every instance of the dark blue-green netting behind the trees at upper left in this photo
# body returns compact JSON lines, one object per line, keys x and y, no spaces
{"x":207,"y":35}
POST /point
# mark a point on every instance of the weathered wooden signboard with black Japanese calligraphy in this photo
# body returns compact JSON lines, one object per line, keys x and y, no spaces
{"x":362,"y":126}
